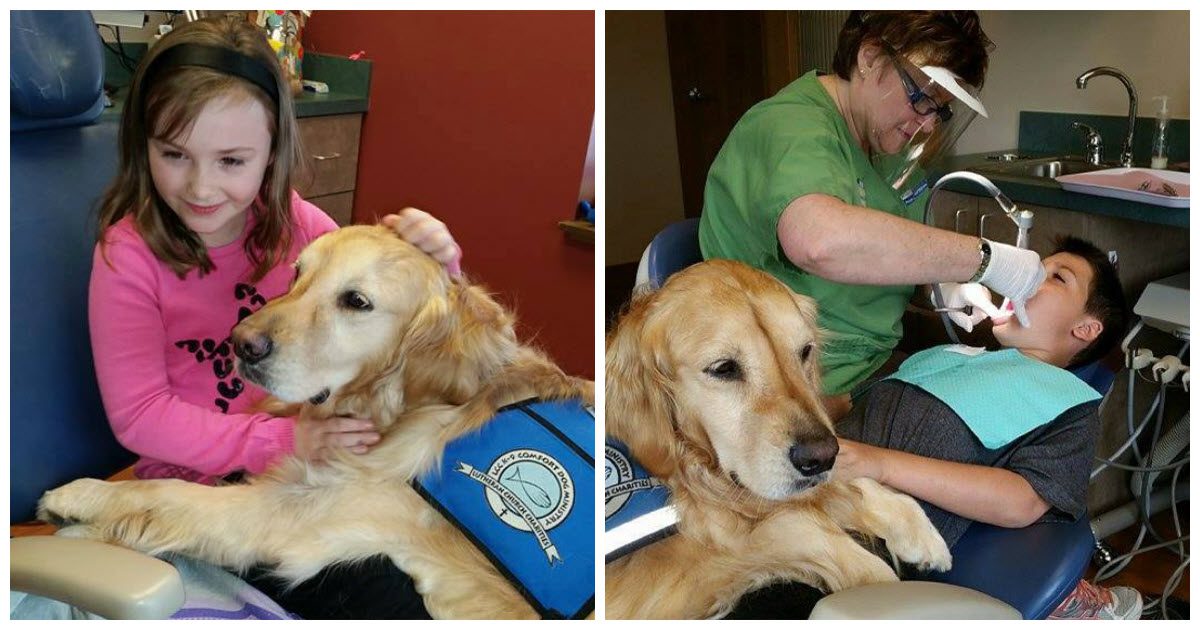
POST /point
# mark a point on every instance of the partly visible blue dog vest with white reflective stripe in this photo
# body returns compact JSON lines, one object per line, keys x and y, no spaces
{"x":637,"y":506}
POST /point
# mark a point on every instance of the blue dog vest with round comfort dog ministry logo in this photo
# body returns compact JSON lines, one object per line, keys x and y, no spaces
{"x":523,"y":489}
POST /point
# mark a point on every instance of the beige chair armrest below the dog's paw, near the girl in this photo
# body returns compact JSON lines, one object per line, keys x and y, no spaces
{"x":111,"y":581}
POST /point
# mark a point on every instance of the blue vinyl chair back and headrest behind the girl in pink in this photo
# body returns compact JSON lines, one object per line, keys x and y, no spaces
{"x":61,"y":167}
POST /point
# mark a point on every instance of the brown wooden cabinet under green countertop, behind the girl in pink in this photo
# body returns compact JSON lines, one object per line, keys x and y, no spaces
{"x":332,"y":152}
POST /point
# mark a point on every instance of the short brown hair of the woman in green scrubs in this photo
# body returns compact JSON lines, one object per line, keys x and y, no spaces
{"x":953,"y":40}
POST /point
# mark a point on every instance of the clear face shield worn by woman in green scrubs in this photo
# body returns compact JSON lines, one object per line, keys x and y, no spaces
{"x":922,"y":113}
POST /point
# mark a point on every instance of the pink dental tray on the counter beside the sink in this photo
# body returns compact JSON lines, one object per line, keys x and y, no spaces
{"x":1143,"y":185}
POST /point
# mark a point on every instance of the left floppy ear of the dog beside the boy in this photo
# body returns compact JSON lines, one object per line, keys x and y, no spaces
{"x":639,"y":405}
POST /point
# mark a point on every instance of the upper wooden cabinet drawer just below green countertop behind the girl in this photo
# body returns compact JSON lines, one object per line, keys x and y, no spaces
{"x":332,"y":151}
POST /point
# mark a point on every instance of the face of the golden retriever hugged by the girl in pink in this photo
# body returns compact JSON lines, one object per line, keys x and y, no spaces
{"x":357,"y":293}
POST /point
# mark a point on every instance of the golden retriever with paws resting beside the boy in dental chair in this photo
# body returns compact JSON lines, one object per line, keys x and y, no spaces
{"x":712,"y":383}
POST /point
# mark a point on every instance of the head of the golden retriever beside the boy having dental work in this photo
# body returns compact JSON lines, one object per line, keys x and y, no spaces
{"x":721,"y":365}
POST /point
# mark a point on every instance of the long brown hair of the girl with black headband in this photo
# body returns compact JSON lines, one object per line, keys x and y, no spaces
{"x":165,"y":109}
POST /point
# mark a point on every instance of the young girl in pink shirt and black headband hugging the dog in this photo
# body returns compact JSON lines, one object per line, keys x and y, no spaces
{"x":200,"y":229}
